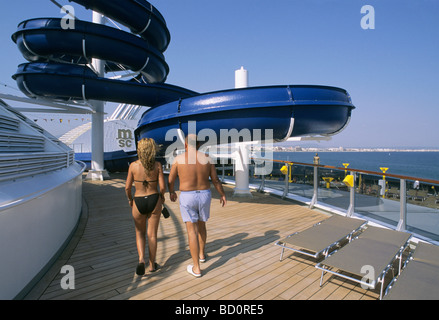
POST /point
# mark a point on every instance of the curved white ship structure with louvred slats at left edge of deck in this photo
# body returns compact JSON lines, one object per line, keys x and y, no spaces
{"x":40,"y":200}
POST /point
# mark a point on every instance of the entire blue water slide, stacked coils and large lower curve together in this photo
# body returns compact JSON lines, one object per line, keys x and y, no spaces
{"x":57,"y":71}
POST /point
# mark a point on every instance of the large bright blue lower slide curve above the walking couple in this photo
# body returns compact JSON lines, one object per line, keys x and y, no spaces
{"x":256,"y":113}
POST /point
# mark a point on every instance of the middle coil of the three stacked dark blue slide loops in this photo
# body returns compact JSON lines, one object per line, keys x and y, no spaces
{"x":45,"y":38}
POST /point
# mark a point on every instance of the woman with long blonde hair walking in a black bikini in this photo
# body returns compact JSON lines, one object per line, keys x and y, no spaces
{"x":147,"y":175}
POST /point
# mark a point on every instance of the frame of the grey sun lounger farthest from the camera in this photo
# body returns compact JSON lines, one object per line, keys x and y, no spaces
{"x":316,"y":254}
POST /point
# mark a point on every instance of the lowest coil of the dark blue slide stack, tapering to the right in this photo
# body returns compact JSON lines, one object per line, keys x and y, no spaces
{"x":68,"y":81}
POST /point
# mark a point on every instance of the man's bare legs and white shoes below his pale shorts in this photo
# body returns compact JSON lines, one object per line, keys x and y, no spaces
{"x":197,"y":235}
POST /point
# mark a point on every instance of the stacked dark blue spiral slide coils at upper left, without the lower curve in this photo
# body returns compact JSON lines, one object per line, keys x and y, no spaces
{"x":58,"y":56}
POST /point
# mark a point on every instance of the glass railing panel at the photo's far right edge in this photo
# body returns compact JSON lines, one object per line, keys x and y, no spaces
{"x":423,"y":209}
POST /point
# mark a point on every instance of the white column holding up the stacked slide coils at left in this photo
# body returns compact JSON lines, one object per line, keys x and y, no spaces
{"x":97,"y":171}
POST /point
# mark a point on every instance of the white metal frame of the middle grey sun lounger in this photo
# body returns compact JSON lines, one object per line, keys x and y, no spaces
{"x":365,"y":281}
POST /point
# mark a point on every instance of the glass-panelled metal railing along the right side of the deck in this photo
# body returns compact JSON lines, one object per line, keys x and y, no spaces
{"x":399,"y":202}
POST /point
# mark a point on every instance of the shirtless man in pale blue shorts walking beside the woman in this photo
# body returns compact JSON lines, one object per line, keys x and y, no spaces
{"x":194,"y":169}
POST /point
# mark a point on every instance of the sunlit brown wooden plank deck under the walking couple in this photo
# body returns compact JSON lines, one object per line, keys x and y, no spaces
{"x":243,"y":262}
